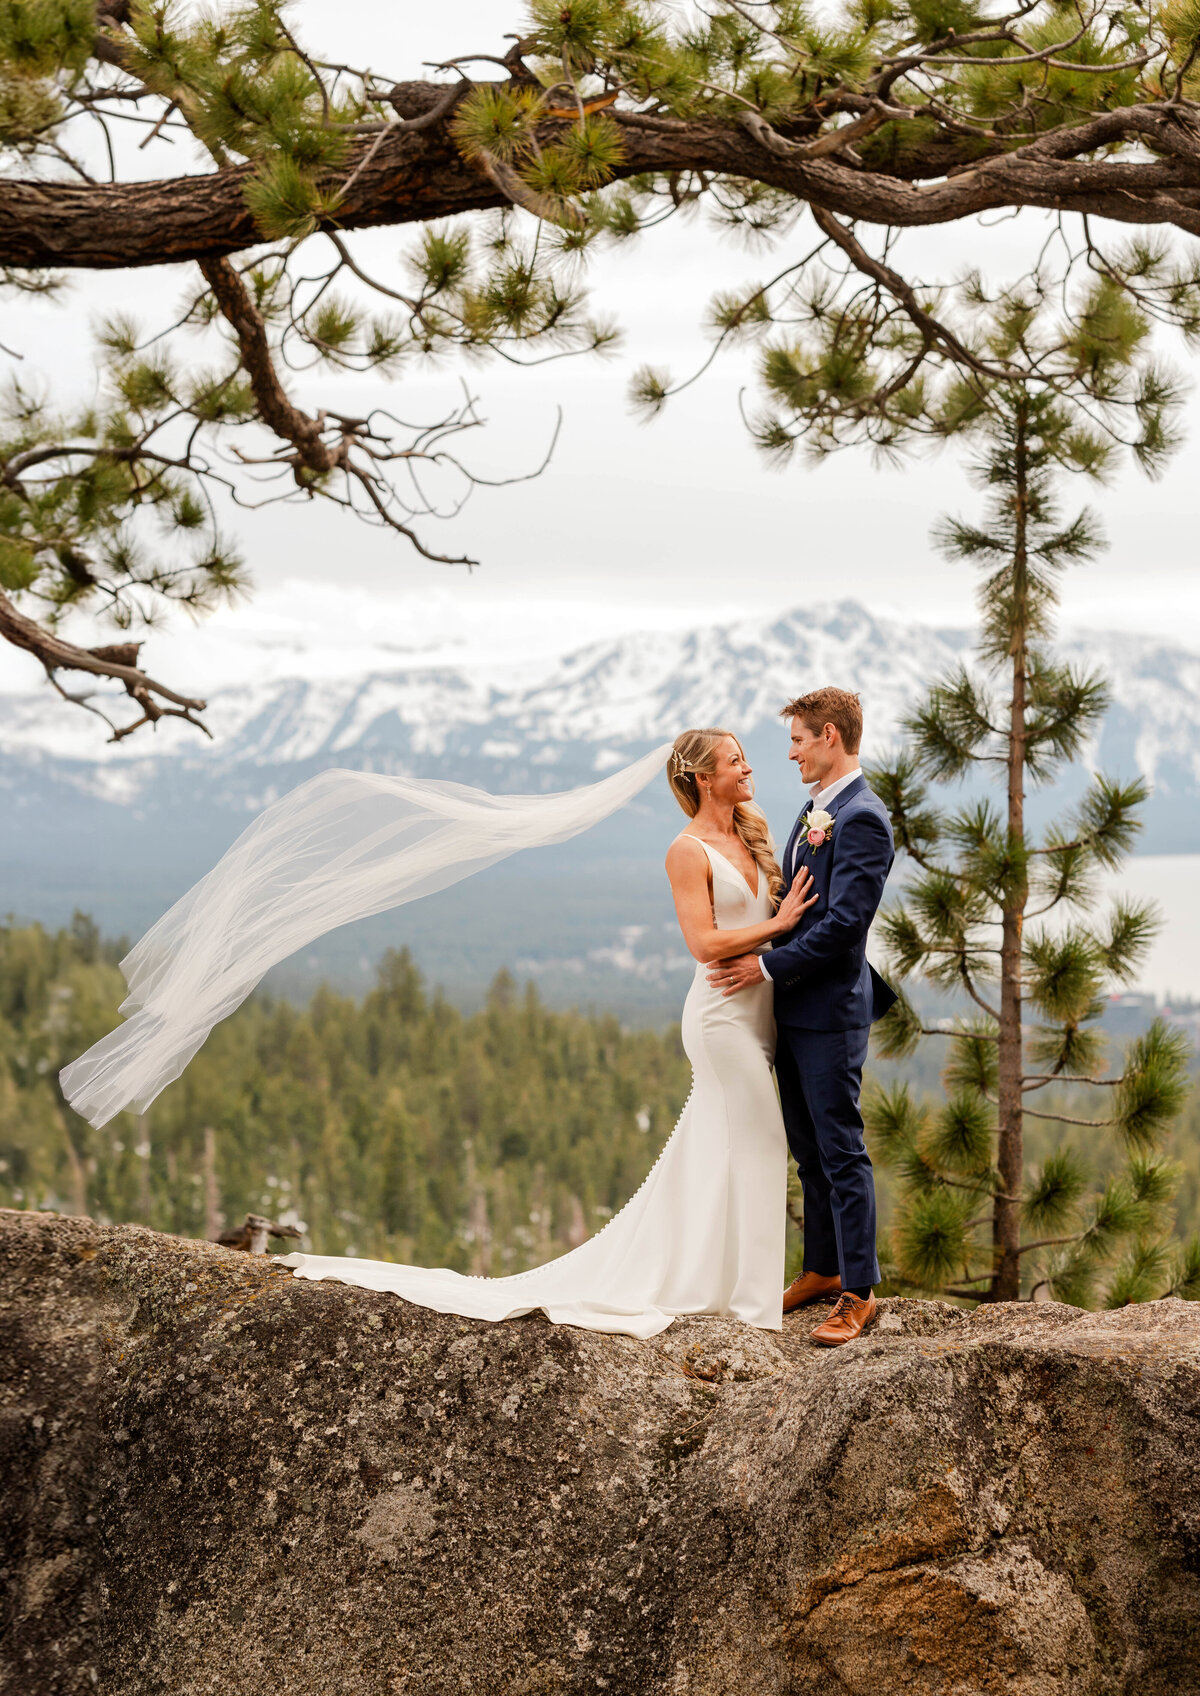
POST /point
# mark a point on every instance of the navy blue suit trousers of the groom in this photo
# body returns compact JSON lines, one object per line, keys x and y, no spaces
{"x":821,"y":1081}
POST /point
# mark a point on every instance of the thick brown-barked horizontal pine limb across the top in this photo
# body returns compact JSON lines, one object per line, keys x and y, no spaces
{"x":419,"y":176}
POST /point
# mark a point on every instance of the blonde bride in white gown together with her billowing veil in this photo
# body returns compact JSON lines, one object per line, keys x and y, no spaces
{"x":706,"y":1230}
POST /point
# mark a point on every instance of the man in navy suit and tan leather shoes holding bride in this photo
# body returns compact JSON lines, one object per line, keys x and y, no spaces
{"x":826,"y":1000}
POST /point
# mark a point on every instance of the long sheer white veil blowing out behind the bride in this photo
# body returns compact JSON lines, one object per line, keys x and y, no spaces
{"x":336,"y":849}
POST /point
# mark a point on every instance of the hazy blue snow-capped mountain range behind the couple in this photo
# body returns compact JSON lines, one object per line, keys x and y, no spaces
{"x":123,"y":830}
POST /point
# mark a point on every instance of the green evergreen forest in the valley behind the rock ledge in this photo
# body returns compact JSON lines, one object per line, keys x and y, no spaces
{"x":396,"y":1127}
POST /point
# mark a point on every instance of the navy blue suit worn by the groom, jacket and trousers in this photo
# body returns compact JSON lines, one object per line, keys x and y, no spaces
{"x":826,"y":1000}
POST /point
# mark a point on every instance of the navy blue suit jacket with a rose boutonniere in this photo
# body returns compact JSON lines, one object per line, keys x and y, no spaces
{"x":823,"y":979}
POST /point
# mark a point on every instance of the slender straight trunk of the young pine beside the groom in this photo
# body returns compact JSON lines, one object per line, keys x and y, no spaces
{"x":1011,"y":1154}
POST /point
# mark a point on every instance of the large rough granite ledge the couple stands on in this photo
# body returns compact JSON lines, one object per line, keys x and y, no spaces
{"x":219,"y":1478}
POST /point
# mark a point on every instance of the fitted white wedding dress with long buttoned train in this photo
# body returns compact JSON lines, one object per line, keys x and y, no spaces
{"x":704,"y":1234}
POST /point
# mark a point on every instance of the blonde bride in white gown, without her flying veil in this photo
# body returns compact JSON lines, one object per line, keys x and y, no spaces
{"x":706,"y":1230}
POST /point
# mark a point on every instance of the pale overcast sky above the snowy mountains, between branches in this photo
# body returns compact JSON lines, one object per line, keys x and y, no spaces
{"x":633,"y":525}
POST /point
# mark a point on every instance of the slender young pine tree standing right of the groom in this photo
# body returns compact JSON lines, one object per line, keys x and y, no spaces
{"x":1008,"y":918}
